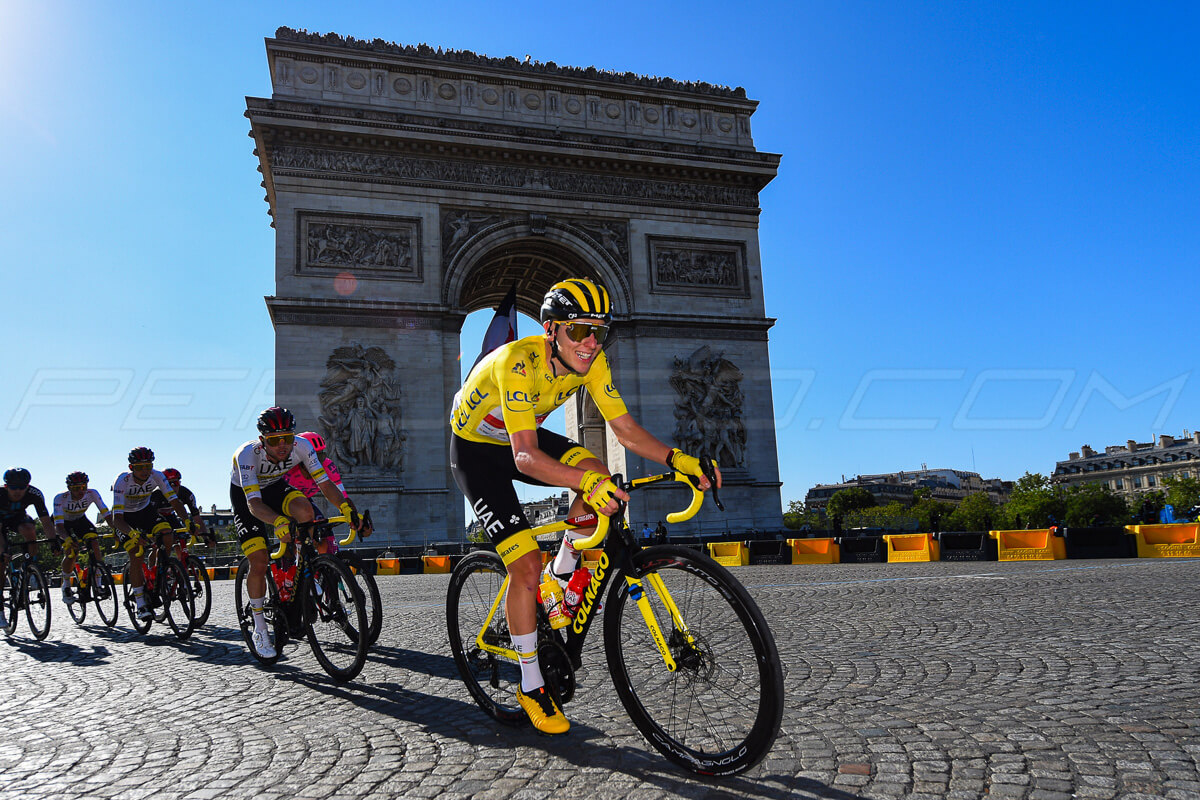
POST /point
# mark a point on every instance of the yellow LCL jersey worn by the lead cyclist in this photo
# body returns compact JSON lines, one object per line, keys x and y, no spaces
{"x":514,"y":389}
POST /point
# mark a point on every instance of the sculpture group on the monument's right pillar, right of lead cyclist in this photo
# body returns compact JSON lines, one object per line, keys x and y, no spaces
{"x":709,"y":411}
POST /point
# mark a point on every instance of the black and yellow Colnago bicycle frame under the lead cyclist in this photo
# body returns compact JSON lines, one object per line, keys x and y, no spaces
{"x":616,"y":557}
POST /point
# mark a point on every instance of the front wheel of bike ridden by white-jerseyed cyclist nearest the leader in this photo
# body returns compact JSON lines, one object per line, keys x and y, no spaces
{"x":335,"y":618}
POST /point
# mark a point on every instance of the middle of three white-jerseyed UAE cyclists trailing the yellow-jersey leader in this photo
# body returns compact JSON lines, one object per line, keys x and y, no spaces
{"x":134,"y":515}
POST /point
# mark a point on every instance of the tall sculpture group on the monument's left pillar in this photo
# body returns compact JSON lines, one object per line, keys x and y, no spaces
{"x":362,"y":410}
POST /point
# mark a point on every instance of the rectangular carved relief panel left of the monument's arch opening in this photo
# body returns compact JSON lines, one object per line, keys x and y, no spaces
{"x":364,"y":245}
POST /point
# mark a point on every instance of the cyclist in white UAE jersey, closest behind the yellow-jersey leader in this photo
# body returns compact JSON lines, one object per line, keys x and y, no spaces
{"x":265,"y":503}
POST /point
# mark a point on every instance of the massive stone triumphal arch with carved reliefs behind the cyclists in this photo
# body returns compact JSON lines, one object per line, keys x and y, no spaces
{"x":410,"y":187}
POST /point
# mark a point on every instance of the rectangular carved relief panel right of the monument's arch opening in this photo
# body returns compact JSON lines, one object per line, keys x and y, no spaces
{"x":698,"y":267}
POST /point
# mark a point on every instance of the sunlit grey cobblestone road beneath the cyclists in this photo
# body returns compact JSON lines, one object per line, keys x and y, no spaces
{"x":1043,"y":681}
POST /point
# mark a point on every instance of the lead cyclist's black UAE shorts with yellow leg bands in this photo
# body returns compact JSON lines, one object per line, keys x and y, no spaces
{"x":485,"y":474}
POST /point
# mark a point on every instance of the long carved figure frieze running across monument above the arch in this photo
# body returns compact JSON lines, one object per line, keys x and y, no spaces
{"x":393,"y":169}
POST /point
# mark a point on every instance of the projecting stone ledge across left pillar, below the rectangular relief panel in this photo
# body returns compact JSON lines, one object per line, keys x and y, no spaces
{"x":363,"y":314}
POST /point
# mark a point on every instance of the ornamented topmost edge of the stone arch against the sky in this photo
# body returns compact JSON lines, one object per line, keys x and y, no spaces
{"x":423,"y":56}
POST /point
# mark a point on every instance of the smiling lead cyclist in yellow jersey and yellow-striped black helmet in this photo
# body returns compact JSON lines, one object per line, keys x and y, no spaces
{"x":496,"y":440}
